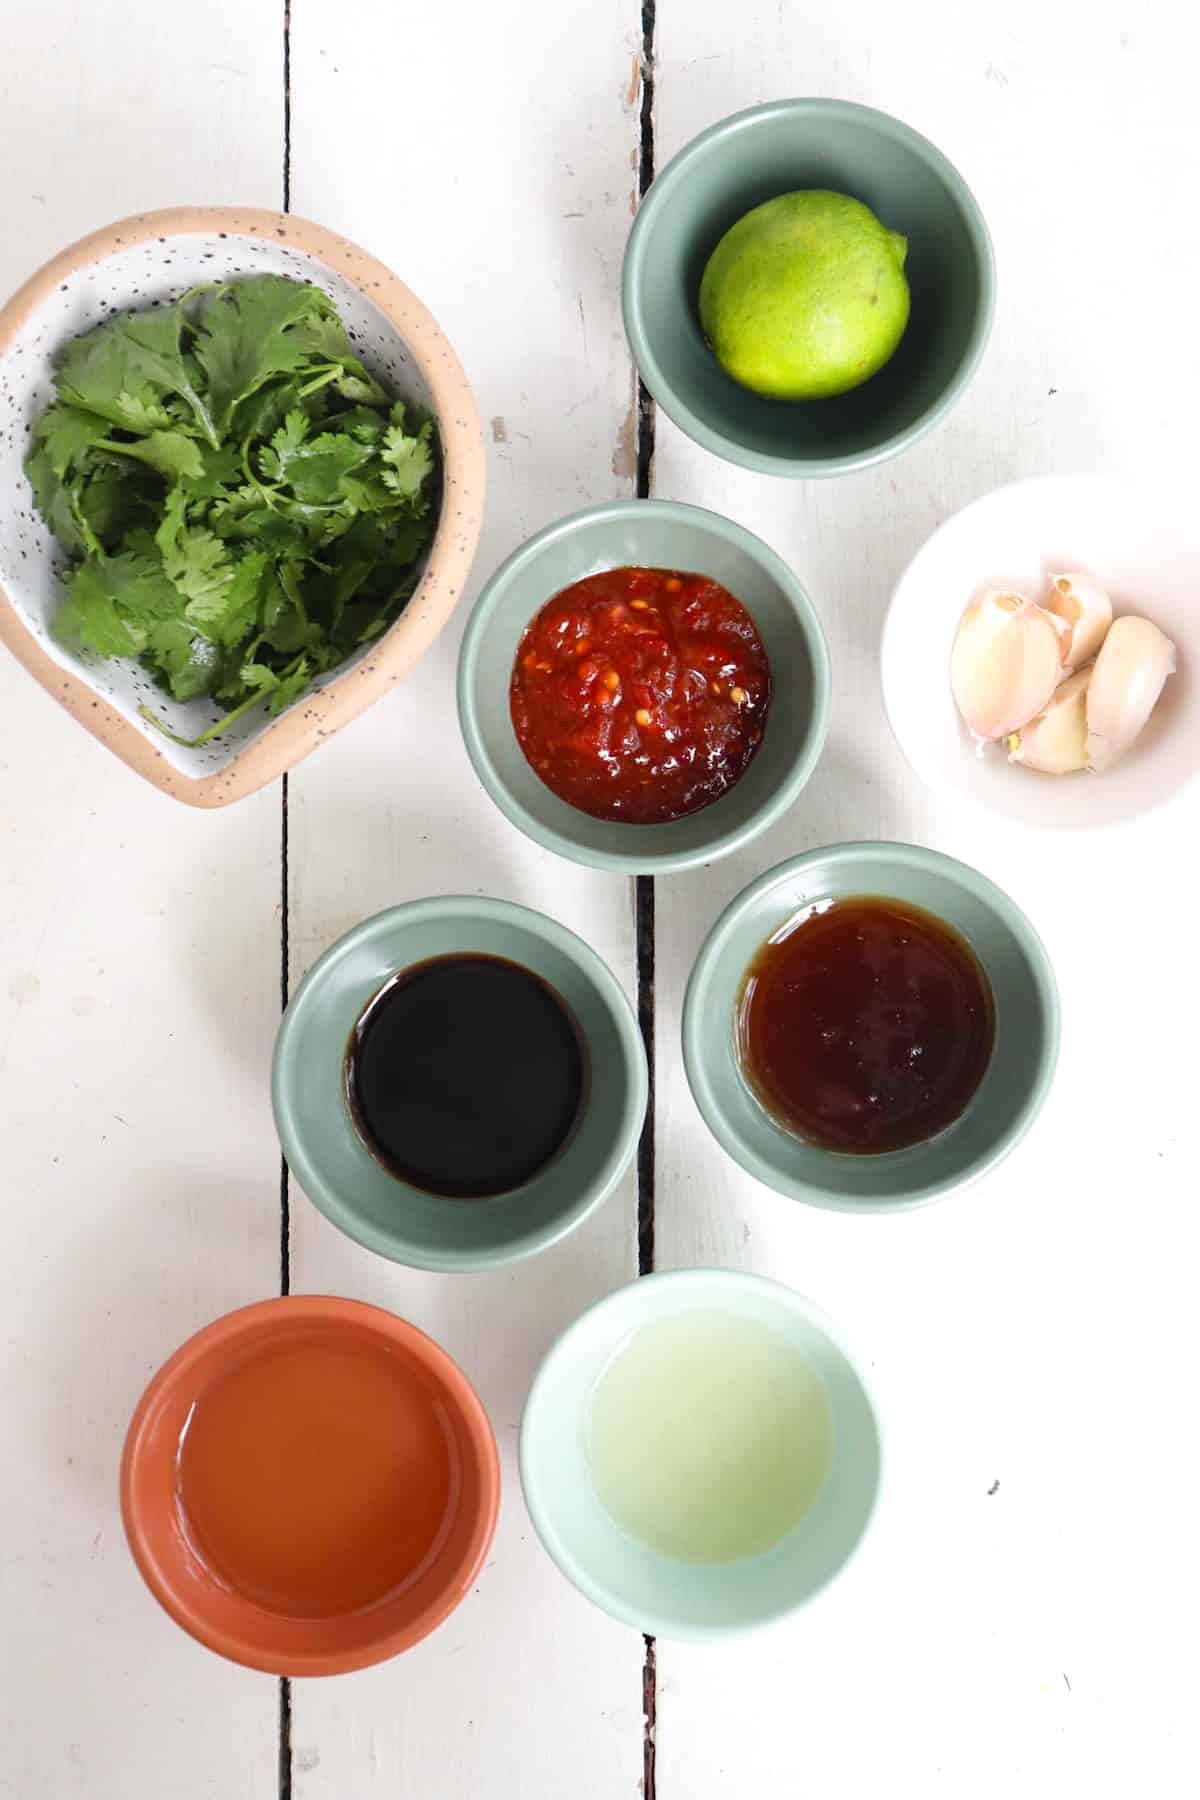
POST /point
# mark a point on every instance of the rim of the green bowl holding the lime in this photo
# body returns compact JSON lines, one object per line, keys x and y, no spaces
{"x":661,"y":193}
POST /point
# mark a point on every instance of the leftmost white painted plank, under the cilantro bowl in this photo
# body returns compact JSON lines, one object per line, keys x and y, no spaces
{"x":138,"y":1002}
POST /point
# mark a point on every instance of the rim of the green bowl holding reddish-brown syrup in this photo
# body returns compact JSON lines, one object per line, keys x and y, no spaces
{"x":694,"y":1029}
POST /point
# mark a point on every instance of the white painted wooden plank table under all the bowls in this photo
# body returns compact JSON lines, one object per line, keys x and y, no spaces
{"x":1023,"y":1621}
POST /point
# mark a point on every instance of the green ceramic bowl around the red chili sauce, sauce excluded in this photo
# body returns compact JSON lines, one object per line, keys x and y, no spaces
{"x":658,"y":535}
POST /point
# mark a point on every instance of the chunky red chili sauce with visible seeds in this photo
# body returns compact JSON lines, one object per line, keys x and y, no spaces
{"x":641,"y":694}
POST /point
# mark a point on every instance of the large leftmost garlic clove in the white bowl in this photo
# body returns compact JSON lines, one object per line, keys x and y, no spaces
{"x":1005,"y":663}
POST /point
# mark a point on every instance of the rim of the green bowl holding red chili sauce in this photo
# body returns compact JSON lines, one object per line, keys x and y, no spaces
{"x":724,"y":843}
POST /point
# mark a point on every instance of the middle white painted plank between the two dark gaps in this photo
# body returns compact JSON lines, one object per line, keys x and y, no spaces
{"x":488,"y":159}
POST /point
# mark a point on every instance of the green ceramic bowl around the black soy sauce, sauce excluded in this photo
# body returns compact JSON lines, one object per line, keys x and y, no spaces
{"x":339,"y":1174}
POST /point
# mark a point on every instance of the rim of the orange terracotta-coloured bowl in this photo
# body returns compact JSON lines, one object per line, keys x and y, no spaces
{"x":229,"y":1331}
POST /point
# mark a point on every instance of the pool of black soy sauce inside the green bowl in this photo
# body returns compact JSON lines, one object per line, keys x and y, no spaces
{"x":465,"y":1075}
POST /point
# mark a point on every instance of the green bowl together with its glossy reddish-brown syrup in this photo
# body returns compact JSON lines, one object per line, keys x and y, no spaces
{"x":872,"y":1027}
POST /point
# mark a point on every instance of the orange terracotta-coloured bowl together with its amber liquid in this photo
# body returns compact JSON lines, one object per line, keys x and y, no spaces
{"x":310,"y":1486}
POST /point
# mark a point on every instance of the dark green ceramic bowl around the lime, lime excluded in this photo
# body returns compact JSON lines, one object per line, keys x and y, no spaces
{"x":776,"y":150}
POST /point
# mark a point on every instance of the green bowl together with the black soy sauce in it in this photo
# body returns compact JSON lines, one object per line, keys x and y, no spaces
{"x":460,"y":1083}
